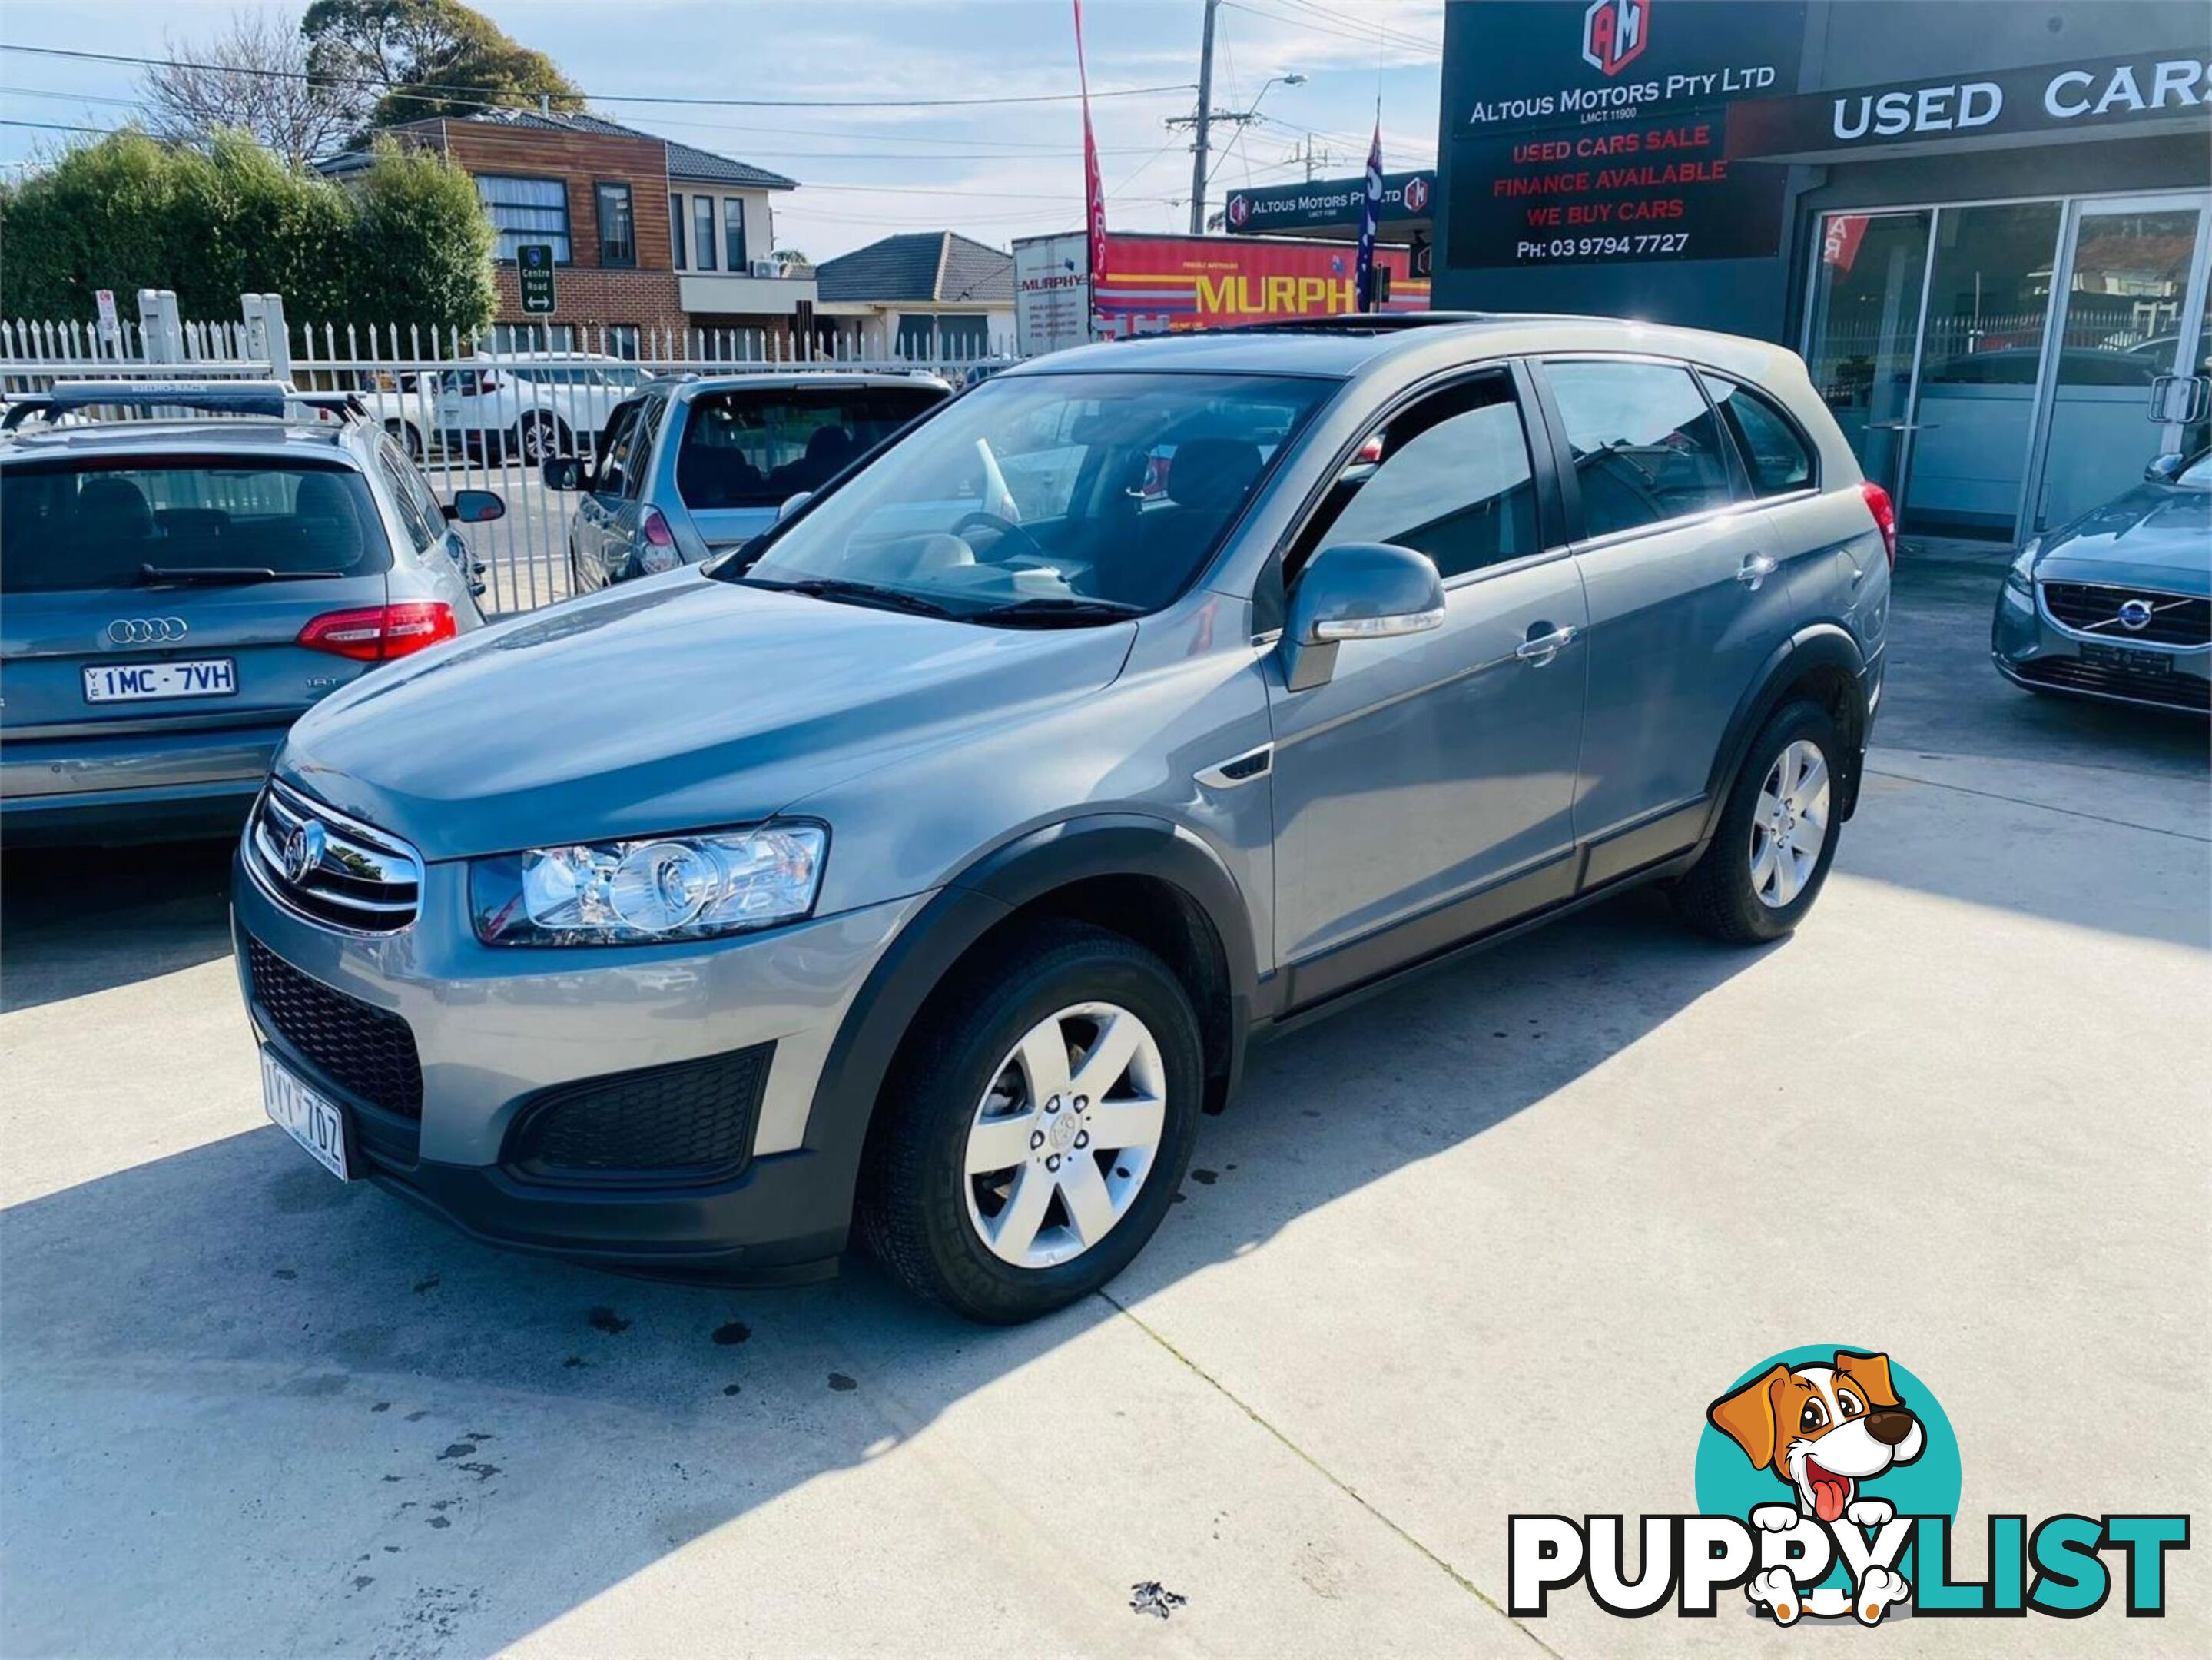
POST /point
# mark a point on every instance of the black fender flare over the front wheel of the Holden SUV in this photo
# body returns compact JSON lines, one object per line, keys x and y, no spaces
{"x":970,"y":906}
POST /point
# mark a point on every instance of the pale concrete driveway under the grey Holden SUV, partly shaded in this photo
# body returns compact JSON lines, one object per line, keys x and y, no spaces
{"x":1488,"y":1245}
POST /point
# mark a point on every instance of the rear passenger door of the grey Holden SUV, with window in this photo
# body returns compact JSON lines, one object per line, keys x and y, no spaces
{"x":1684,"y":588}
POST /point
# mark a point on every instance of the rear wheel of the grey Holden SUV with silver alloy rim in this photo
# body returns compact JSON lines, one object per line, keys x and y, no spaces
{"x":1762,"y":873}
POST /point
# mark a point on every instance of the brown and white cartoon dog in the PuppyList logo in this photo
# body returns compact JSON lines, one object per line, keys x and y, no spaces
{"x":1824,"y":1431}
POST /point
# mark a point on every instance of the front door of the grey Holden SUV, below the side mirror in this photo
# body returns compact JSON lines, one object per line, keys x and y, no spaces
{"x":1428,"y":787}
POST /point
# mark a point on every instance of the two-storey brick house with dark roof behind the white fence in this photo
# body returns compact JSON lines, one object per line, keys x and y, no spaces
{"x":647,"y":234}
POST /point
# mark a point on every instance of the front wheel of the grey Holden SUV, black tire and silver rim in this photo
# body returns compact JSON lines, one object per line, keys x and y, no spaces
{"x":963,"y":1075}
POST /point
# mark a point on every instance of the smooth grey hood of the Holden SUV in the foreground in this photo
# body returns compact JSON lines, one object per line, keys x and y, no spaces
{"x":667,"y":705}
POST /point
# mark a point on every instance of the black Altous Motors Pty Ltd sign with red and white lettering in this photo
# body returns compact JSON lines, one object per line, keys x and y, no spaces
{"x":1603,"y":134}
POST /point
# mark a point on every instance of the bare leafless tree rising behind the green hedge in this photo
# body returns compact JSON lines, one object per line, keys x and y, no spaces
{"x":253,"y":79}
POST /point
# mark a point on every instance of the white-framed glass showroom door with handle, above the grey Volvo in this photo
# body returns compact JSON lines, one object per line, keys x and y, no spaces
{"x":2133,"y":309}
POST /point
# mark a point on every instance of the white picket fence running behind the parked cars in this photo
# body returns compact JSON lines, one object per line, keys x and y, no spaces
{"x":399,"y":375}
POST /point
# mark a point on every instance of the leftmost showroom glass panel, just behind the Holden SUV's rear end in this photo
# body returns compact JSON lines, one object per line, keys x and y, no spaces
{"x":1864,"y":335}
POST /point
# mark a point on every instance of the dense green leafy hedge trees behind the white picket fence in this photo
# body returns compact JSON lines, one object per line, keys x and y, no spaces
{"x":408,"y":242}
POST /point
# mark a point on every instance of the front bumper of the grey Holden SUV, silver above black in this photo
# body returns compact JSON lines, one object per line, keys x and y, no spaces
{"x":497,"y":1028}
